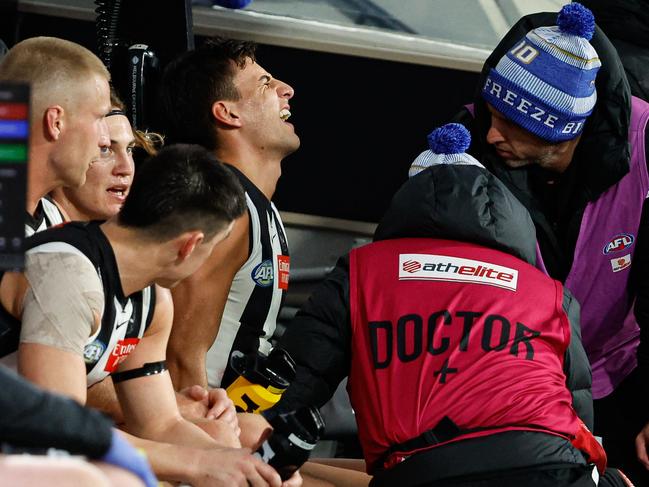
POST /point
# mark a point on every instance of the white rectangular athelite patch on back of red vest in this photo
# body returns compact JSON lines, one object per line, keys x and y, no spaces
{"x":430,"y":267}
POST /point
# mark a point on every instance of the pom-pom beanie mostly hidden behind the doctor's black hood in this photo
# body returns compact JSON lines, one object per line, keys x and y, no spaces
{"x":447,"y":144}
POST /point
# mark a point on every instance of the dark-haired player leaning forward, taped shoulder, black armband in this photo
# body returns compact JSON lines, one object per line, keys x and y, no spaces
{"x":77,"y":321}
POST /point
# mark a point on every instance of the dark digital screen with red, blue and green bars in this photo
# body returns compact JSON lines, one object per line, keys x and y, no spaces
{"x":14,"y":153}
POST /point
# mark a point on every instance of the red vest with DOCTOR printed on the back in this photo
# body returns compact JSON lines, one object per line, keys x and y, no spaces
{"x":443,"y":329}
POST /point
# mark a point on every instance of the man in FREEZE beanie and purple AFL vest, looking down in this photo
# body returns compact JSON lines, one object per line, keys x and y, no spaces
{"x":554,"y":119}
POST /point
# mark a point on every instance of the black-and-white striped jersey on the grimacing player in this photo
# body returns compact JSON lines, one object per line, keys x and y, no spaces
{"x":257,"y":291}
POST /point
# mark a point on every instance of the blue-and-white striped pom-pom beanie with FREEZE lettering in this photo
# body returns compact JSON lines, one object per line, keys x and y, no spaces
{"x":546,"y":83}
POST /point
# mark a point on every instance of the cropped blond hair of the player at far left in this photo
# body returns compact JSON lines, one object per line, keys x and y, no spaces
{"x":52,"y":66}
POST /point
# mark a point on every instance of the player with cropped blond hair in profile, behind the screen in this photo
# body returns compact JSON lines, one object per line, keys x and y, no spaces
{"x":70,"y":97}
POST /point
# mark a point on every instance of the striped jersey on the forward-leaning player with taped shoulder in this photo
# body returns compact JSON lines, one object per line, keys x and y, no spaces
{"x":125,"y":318}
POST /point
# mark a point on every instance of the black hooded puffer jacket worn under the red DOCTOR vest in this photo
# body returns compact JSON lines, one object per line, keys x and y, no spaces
{"x":465,"y":203}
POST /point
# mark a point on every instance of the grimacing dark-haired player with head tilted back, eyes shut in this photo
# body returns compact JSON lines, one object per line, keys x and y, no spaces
{"x":218,"y":96}
